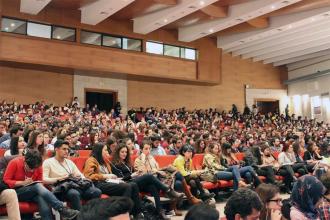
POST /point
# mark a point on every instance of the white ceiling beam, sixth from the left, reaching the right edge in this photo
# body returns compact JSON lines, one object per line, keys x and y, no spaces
{"x":255,"y":47}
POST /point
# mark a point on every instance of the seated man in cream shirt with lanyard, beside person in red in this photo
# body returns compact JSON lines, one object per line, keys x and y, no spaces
{"x":58,"y":171}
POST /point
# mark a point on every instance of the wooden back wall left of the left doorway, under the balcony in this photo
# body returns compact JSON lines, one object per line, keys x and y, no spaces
{"x":29,"y":85}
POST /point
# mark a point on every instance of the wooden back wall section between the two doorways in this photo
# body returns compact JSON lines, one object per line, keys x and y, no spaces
{"x":235,"y":74}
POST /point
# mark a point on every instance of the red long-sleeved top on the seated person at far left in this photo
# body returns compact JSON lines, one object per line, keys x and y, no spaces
{"x":15,"y":172}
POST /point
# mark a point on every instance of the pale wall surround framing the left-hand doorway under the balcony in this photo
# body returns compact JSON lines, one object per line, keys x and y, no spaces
{"x":85,"y":79}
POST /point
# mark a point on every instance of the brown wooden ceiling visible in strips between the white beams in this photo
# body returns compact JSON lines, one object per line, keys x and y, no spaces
{"x":216,"y":10}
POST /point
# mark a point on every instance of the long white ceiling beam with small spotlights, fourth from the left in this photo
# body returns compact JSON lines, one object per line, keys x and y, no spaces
{"x":237,"y":14}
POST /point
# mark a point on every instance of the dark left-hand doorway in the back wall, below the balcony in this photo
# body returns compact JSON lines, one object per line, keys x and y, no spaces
{"x":104,"y":99}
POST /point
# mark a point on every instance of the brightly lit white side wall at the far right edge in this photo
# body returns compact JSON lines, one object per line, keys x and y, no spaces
{"x":301,"y":93}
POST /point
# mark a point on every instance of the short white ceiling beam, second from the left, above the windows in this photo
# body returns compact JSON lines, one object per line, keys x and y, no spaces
{"x":100,"y":10}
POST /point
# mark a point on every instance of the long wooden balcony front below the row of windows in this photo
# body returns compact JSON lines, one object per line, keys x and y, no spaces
{"x":45,"y":52}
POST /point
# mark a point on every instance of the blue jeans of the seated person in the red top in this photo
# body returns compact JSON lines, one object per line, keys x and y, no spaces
{"x":42,"y":196}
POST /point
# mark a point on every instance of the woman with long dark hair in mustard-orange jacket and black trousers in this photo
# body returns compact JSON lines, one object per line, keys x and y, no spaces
{"x":97,"y":168}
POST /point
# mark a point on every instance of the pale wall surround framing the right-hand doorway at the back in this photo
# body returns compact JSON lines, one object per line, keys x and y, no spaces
{"x":276,"y":94}
